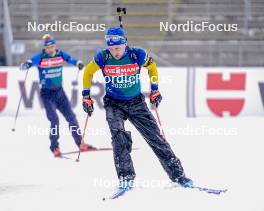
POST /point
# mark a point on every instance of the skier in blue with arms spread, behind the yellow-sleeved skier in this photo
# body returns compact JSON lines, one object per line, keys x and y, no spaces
{"x":50,"y":64}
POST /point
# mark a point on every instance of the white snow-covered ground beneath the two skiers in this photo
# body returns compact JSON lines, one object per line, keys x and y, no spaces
{"x":31,"y":179}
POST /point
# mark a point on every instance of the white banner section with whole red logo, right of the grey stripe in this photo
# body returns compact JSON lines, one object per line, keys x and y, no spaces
{"x":228,"y":91}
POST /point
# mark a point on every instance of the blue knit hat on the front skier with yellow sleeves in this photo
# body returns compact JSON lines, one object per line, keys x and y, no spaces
{"x":115,"y":36}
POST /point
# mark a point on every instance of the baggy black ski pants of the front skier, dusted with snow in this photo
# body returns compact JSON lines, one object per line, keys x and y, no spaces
{"x":137,"y":112}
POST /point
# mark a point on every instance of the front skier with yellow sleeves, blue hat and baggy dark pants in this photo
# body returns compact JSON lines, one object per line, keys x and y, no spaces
{"x":123,"y":100}
